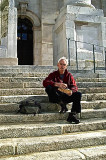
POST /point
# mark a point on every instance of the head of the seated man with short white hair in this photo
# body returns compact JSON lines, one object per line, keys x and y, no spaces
{"x":62,"y":64}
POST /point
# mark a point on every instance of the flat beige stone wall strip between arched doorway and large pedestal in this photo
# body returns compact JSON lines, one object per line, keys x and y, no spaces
{"x":49,"y":15}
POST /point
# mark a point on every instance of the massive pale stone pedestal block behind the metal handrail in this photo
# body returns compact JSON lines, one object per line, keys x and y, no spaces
{"x":84,"y":24}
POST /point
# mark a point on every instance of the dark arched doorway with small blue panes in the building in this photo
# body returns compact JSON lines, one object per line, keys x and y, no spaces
{"x":24,"y":42}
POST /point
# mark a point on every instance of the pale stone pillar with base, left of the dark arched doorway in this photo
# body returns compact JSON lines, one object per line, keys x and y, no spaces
{"x":8,"y":48}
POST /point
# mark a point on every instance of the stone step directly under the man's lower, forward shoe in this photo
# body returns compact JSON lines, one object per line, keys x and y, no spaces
{"x":52,"y":128}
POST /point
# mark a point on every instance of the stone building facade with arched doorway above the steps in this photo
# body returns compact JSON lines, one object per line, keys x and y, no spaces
{"x":38,"y":32}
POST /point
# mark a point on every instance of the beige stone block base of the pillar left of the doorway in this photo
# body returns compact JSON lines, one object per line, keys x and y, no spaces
{"x":8,"y":61}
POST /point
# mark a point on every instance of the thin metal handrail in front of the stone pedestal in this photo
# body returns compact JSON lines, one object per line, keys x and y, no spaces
{"x":77,"y":52}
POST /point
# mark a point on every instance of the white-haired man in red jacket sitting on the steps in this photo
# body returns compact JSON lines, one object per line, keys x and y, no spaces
{"x":62,"y":89}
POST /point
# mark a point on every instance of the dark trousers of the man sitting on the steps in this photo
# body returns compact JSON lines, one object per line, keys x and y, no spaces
{"x":56,"y":96}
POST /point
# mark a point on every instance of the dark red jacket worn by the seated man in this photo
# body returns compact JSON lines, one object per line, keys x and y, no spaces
{"x":55,"y":77}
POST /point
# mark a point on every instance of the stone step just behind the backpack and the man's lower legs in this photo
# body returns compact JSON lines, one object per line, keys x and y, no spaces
{"x":14,"y":107}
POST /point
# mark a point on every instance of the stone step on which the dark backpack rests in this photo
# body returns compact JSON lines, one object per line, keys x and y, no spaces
{"x":49,"y":116}
